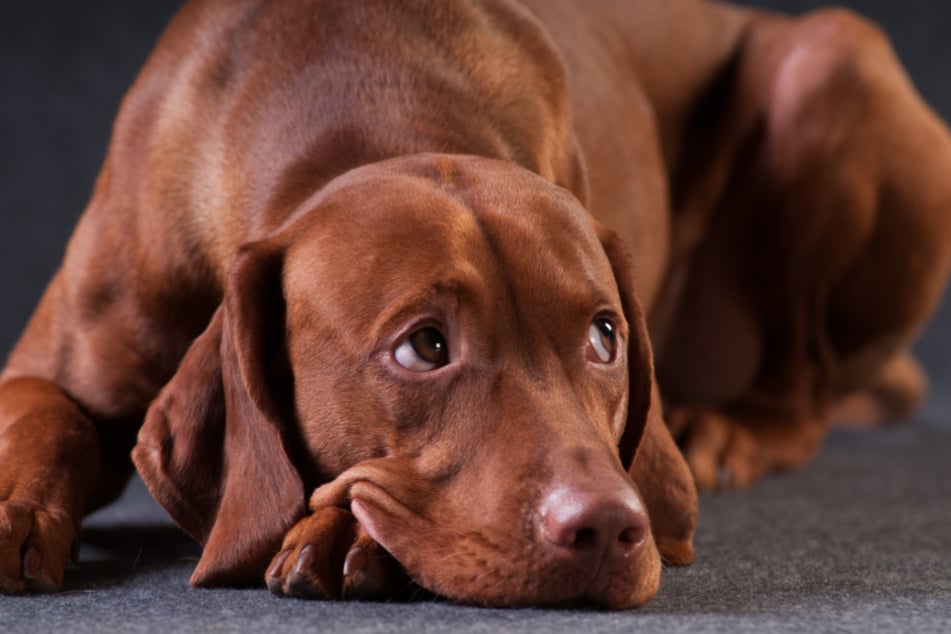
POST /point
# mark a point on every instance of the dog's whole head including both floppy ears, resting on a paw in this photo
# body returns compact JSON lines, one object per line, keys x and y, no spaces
{"x":453,"y":349}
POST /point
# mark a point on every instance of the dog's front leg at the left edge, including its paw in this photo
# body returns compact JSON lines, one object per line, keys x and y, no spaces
{"x":72,"y":397}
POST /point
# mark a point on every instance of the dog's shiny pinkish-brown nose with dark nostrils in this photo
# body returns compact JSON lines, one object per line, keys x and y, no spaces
{"x":586,"y":522}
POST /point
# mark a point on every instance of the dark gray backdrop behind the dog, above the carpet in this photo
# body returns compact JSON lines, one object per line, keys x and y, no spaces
{"x":65,"y":65}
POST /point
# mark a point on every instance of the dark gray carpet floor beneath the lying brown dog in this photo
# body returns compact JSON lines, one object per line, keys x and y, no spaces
{"x":860,"y":542}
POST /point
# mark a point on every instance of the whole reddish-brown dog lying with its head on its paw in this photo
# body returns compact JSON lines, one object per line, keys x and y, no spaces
{"x":345,"y":249}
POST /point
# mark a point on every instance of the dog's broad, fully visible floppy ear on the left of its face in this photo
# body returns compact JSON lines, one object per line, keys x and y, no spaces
{"x":213,"y":449}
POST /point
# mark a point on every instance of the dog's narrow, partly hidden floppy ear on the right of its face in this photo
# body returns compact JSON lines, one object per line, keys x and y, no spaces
{"x":646,"y":448}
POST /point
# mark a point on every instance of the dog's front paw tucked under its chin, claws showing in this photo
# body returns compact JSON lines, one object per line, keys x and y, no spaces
{"x":328,"y":555}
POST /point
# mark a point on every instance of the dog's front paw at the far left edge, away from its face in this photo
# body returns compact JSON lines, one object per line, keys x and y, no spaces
{"x":35,"y":545}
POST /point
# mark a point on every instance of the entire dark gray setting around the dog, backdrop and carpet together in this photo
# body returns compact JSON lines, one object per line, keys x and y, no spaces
{"x":860,"y":541}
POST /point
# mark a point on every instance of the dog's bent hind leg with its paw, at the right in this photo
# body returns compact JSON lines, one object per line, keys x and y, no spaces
{"x":830,"y":245}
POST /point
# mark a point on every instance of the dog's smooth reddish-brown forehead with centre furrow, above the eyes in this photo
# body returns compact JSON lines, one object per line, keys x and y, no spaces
{"x":382,"y":234}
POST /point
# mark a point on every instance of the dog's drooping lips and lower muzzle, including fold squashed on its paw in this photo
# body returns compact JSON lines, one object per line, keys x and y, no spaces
{"x":496,"y":562}
